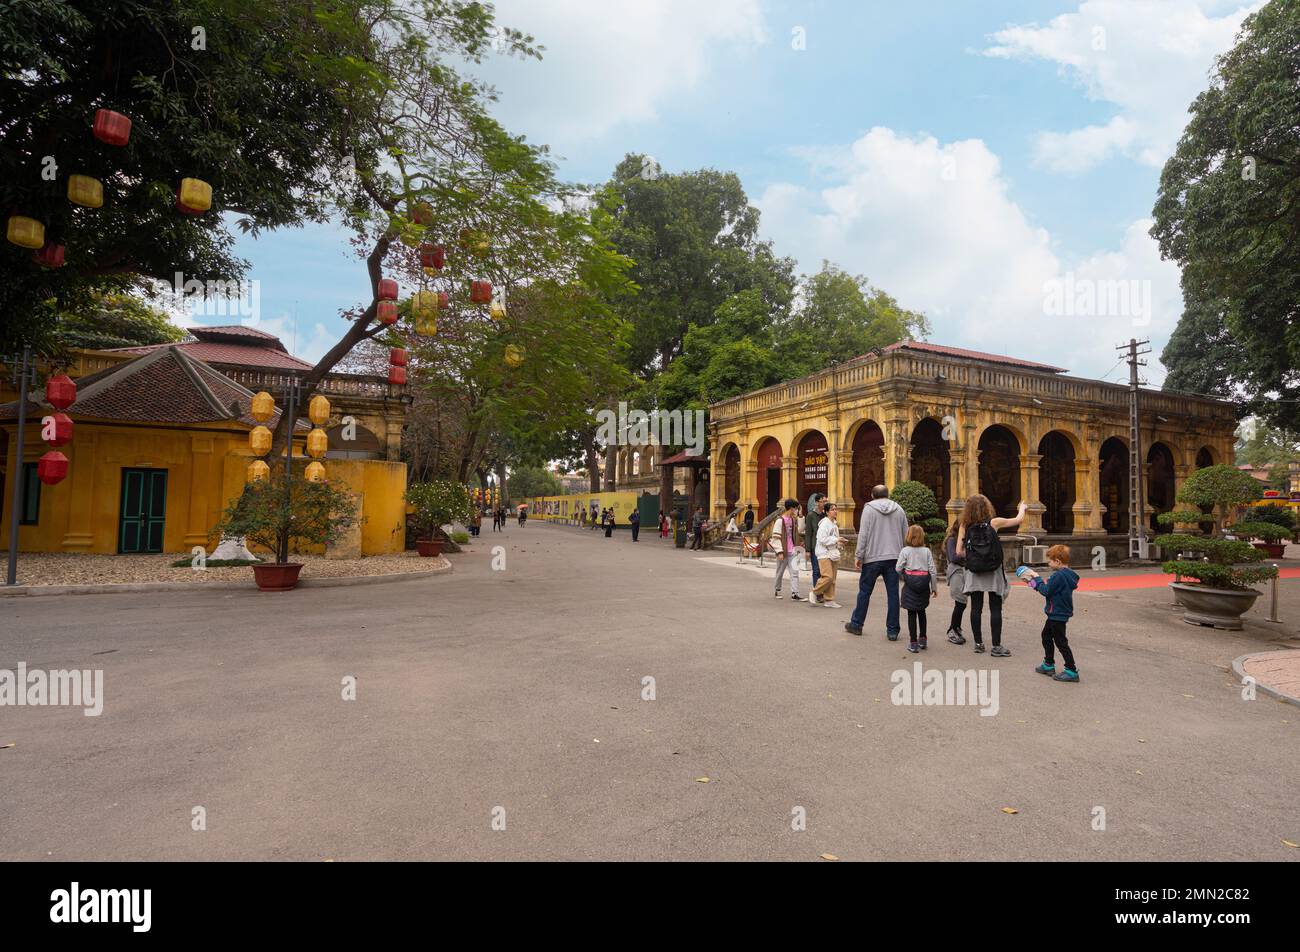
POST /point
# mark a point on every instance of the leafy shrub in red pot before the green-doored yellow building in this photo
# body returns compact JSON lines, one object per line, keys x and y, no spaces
{"x":279,"y":516}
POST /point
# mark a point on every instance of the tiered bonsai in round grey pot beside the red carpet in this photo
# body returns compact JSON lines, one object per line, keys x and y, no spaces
{"x":1215,"y":573}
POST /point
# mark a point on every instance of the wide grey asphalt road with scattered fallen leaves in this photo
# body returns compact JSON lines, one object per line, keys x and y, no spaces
{"x":522,"y":690}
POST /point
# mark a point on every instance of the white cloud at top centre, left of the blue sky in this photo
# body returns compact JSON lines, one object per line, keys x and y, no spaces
{"x":613,"y":62}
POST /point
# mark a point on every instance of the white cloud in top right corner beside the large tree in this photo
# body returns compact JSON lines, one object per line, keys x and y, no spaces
{"x":1149,"y":58}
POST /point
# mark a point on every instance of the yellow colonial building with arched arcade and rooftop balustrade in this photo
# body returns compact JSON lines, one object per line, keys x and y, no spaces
{"x":961,"y":422}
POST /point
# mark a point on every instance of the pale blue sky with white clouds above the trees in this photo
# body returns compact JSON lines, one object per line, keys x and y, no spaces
{"x":981,"y":162}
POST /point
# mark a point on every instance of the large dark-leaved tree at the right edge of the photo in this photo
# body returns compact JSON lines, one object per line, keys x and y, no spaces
{"x":1229,"y":213}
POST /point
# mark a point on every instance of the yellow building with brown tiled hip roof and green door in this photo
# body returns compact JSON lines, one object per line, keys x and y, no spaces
{"x":161,"y":448}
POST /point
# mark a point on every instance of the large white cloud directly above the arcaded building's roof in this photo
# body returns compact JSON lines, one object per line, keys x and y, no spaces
{"x":934,"y":226}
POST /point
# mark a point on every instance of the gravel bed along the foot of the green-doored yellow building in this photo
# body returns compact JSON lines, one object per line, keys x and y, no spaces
{"x":79,"y":569}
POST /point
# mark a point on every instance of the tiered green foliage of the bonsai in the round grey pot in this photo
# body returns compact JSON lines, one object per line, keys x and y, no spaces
{"x":1223,"y":562}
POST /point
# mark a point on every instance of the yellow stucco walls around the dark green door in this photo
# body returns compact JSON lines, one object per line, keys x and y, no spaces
{"x":206,"y":468}
